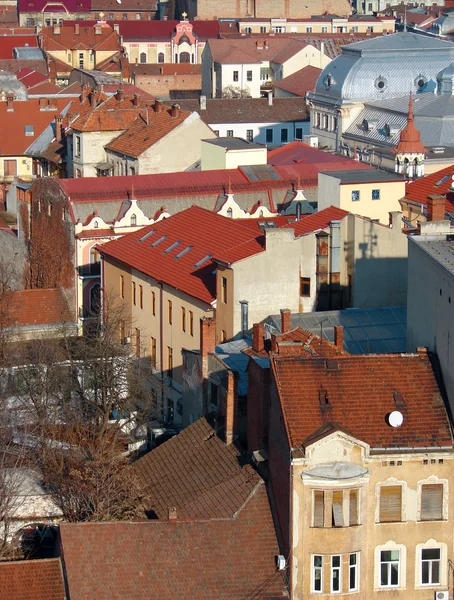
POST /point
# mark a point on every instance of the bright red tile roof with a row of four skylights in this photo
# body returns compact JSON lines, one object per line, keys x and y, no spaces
{"x":210,"y":236}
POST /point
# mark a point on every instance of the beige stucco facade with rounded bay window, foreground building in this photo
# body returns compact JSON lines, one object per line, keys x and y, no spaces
{"x":365,"y":472}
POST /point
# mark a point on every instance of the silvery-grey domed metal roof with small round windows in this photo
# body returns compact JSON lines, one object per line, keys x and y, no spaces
{"x":384,"y":67}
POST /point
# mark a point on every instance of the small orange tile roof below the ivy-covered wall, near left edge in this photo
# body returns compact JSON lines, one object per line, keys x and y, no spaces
{"x":39,"y":307}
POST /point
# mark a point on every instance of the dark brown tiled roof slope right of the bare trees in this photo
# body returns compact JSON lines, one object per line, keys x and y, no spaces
{"x":197,"y":474}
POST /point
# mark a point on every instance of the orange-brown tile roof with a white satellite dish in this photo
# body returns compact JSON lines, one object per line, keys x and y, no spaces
{"x":361,"y":393}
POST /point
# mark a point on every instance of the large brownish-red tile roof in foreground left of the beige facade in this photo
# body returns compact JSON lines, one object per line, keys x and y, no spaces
{"x":222,"y":559}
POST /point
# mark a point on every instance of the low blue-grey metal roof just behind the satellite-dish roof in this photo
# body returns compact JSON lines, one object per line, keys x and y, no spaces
{"x":369,"y":330}
